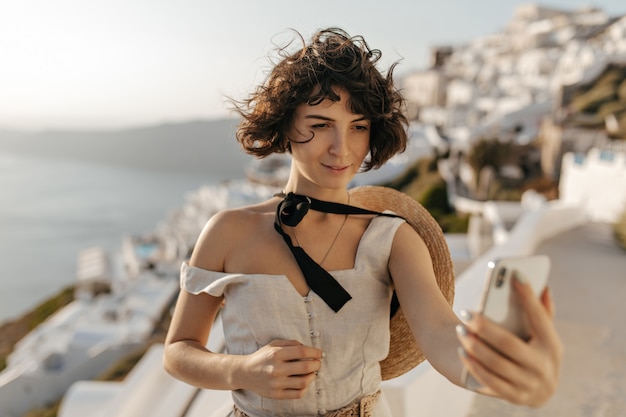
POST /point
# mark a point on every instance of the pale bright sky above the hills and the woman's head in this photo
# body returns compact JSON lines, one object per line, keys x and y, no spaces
{"x":102,"y":64}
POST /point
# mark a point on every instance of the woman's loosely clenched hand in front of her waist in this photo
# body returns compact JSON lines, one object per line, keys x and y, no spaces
{"x":282,"y":369}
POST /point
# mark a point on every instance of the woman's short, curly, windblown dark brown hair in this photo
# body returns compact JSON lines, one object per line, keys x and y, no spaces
{"x":312,"y":74}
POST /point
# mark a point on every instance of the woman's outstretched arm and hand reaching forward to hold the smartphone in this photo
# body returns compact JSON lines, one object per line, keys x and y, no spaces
{"x":526,"y":374}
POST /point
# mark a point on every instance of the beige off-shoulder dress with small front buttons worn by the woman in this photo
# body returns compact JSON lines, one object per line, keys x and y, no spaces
{"x":261,"y":308}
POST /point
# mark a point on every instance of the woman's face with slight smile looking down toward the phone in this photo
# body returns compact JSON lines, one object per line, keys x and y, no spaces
{"x":339,"y":142}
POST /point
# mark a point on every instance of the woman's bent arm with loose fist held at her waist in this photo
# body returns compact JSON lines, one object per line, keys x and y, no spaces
{"x":282,"y":369}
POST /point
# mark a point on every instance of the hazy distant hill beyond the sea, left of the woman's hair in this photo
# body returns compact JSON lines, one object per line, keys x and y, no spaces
{"x":190,"y":147}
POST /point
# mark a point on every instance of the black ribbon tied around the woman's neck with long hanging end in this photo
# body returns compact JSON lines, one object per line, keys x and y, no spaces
{"x":290,"y":212}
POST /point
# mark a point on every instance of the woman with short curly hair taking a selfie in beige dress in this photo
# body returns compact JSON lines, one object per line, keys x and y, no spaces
{"x":303,"y":341}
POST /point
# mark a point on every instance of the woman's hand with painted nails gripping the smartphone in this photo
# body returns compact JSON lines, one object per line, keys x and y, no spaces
{"x":522,"y":372}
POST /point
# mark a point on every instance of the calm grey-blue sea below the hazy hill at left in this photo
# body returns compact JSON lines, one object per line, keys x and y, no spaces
{"x":51,"y":209}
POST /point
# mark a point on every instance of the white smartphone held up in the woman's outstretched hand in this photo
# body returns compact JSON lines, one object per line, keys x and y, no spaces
{"x":499,"y":301}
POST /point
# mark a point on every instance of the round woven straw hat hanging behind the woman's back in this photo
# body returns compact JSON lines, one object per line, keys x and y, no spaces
{"x":404,"y":354}
